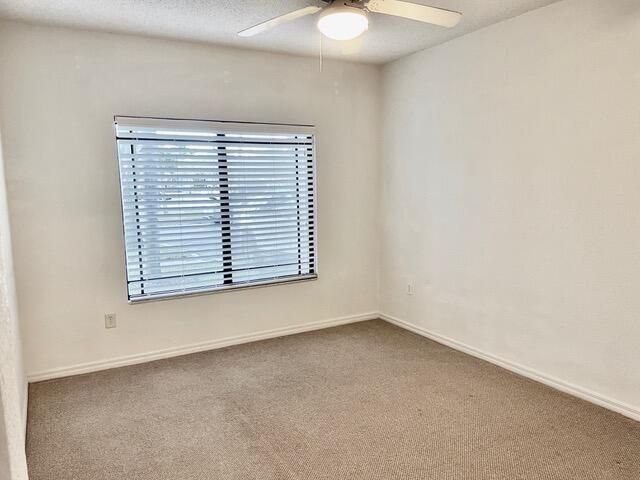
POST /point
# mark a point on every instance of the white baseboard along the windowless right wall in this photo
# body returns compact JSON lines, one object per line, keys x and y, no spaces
{"x":576,"y":391}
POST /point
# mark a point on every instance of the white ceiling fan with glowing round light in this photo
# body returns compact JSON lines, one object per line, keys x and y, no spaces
{"x":345,"y":20}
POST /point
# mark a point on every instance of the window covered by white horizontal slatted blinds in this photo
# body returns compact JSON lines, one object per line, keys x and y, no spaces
{"x":215,"y":205}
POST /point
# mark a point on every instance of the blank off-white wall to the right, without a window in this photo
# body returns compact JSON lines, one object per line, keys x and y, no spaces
{"x":511,"y":188}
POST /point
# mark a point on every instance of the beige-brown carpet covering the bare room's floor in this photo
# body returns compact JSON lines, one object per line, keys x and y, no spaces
{"x":363,"y":401}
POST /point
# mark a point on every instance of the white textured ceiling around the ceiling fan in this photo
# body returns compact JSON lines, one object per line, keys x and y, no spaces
{"x":217,"y":21}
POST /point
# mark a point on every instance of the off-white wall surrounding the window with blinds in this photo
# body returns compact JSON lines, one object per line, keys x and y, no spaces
{"x":60,"y":89}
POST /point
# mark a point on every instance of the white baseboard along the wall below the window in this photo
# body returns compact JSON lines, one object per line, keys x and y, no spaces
{"x":193,"y":348}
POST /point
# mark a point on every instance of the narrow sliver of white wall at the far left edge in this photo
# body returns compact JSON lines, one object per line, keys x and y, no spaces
{"x":13,"y":384}
